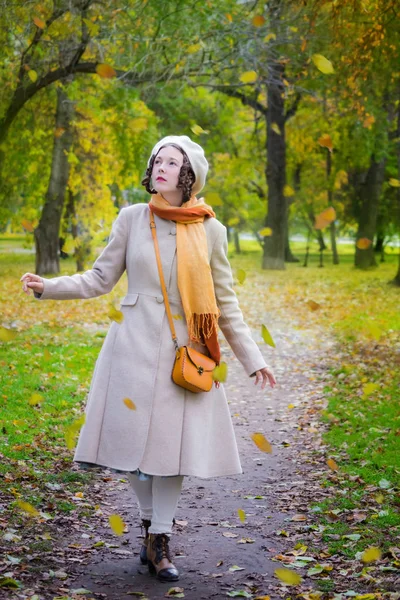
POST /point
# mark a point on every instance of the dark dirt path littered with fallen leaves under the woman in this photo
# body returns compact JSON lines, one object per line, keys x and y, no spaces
{"x":210,"y":538}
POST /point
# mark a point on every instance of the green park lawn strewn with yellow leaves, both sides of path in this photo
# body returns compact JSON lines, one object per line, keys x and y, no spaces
{"x":57,"y":343}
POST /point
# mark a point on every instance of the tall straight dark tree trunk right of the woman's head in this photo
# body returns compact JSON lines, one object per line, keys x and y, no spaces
{"x":274,"y":245}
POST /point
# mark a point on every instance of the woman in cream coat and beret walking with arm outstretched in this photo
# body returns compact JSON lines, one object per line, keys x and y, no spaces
{"x":172,"y":432}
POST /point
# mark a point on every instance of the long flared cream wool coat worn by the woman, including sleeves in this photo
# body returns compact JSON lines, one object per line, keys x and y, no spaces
{"x":172,"y":431}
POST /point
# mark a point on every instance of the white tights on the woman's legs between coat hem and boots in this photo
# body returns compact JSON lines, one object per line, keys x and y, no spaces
{"x":158,"y":499}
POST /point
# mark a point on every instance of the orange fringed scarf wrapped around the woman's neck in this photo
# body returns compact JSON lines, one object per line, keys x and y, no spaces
{"x":195,"y":283}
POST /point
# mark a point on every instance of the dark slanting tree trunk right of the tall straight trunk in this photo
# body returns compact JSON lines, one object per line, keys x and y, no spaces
{"x":369,"y":194}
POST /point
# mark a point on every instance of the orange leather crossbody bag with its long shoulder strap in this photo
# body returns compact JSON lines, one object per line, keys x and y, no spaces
{"x":192,"y":370}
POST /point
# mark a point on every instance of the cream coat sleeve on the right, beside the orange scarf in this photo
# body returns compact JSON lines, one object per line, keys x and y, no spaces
{"x":231,"y":321}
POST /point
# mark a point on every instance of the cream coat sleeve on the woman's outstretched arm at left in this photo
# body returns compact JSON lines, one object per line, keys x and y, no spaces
{"x":104,"y":274}
